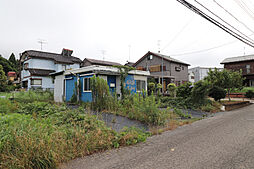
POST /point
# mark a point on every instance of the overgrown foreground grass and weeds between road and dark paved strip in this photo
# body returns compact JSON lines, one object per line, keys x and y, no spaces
{"x":43,"y":135}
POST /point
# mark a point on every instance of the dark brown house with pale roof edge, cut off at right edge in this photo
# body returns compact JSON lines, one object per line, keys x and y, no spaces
{"x":244,"y":63}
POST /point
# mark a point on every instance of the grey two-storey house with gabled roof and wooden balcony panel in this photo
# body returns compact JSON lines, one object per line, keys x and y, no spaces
{"x":163,"y":68}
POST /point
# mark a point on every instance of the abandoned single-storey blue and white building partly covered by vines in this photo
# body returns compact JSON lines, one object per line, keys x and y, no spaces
{"x":136,"y":81}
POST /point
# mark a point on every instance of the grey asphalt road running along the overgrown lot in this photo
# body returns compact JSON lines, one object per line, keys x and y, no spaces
{"x":224,"y":141}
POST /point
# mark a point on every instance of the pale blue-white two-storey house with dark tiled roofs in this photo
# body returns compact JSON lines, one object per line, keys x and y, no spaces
{"x":37,"y":65}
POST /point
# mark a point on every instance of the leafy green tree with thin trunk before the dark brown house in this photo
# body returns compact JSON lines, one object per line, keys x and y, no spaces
{"x":226,"y":79}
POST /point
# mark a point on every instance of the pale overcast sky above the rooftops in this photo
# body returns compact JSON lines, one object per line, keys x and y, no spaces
{"x":122,"y":28}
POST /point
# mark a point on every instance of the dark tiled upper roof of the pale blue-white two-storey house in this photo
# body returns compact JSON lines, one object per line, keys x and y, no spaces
{"x":60,"y":58}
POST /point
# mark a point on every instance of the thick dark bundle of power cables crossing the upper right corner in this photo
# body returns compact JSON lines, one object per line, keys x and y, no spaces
{"x":215,"y":22}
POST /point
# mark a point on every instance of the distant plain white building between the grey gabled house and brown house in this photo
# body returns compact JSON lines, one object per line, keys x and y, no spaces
{"x":199,"y":73}
